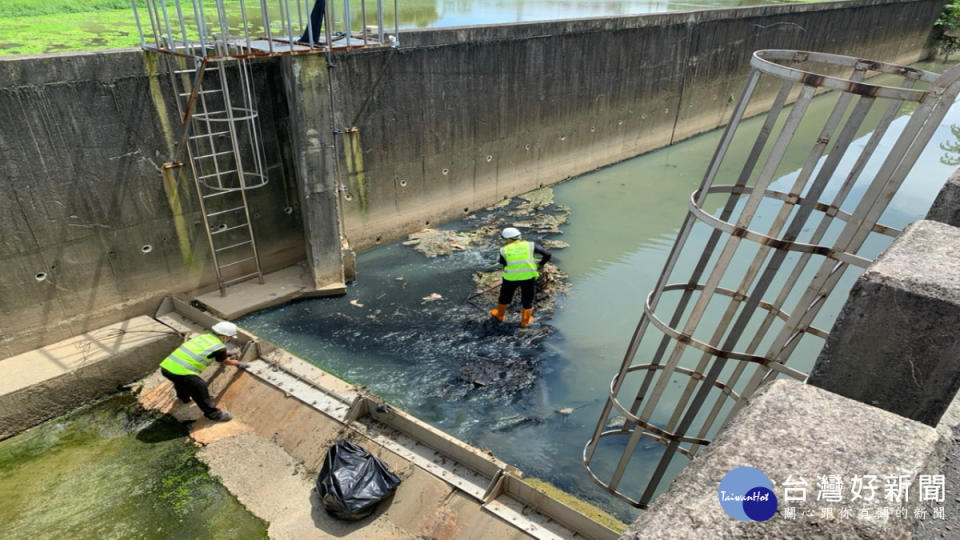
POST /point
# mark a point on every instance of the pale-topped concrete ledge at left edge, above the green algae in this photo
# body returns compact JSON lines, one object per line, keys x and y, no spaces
{"x":44,"y":383}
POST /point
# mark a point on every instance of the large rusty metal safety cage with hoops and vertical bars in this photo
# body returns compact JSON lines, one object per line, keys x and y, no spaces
{"x":766,"y":309}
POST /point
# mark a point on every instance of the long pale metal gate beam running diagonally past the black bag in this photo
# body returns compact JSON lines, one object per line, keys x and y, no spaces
{"x":494,"y":486}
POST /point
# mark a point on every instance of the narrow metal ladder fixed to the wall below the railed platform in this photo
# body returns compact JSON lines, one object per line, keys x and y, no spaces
{"x":217,"y":136}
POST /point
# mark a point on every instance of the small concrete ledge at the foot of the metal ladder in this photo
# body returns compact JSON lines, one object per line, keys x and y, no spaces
{"x":277,"y":288}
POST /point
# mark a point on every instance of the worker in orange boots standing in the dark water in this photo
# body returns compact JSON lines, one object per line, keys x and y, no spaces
{"x":520,"y":269}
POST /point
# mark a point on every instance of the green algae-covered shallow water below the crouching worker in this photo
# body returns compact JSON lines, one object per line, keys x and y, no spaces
{"x":113,"y":470}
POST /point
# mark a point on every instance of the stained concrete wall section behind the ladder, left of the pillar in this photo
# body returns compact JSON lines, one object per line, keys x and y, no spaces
{"x":81,"y":140}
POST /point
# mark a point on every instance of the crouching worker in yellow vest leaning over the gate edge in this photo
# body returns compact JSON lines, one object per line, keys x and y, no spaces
{"x":184,"y":365}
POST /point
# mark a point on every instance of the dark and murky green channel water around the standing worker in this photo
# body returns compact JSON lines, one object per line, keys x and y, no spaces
{"x":624,"y":219}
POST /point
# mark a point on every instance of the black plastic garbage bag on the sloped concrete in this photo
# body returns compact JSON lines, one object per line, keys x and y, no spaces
{"x":352,"y":481}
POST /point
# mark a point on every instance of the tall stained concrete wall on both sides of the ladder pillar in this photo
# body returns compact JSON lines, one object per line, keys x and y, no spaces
{"x":459,"y":119}
